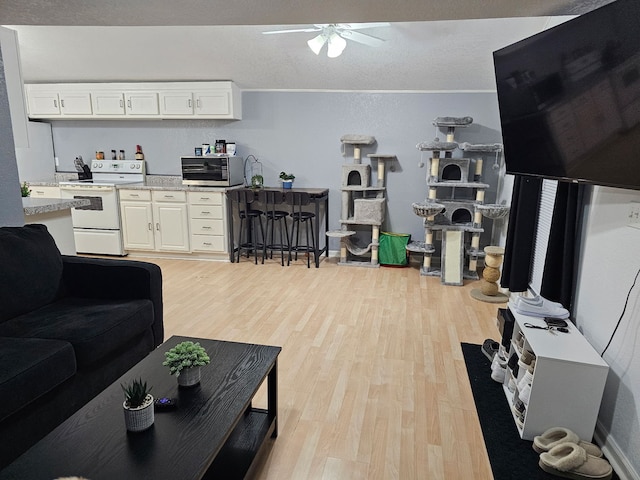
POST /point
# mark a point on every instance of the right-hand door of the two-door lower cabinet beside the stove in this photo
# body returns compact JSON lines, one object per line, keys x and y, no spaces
{"x":171,"y":227}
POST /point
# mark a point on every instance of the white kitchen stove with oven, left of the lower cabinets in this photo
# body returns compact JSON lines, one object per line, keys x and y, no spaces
{"x":97,"y":227}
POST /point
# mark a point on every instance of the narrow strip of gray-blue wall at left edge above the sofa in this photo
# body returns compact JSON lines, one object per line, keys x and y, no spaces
{"x":11,"y":213}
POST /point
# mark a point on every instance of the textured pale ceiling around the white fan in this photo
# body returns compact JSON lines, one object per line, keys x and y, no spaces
{"x":431,"y":45}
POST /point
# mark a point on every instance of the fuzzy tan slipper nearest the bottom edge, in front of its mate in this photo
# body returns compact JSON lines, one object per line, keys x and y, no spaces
{"x":572,"y":461}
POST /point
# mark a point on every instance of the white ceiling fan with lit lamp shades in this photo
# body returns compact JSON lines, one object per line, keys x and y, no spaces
{"x":335,"y":35}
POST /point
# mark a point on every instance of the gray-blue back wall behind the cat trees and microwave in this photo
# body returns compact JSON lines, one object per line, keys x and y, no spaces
{"x":300,"y":132}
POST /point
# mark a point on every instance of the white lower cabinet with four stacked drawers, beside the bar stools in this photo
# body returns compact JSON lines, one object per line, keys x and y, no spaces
{"x":207,"y":221}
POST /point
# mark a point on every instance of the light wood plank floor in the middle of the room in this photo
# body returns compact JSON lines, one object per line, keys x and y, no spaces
{"x":372,"y":382}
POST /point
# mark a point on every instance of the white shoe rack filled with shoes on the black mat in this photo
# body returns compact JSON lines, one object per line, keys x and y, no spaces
{"x":568,"y":380}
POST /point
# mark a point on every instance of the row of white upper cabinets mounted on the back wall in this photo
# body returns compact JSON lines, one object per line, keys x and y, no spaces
{"x":181,"y":100}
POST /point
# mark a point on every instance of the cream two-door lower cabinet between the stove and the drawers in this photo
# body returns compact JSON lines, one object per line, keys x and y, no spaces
{"x":154,"y":220}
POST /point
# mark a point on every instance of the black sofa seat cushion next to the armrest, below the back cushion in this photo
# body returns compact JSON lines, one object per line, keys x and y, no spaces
{"x":95,"y":328}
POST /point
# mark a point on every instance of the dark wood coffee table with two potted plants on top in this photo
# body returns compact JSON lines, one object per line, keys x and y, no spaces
{"x":214,"y":433}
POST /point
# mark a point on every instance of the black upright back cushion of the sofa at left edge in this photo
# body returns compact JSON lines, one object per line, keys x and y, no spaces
{"x":30,"y":269}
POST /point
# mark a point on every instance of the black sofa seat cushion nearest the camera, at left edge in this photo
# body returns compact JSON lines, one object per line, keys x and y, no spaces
{"x":31,"y":367}
